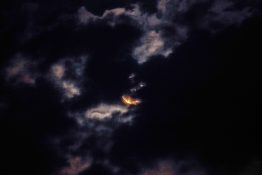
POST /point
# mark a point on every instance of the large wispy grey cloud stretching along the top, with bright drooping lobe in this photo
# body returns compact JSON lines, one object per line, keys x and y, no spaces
{"x":172,"y":14}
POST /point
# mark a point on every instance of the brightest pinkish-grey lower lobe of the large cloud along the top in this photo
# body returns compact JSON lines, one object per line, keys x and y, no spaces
{"x":151,"y":44}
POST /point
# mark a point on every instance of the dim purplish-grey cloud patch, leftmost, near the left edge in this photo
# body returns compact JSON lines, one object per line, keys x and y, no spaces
{"x":22,"y":70}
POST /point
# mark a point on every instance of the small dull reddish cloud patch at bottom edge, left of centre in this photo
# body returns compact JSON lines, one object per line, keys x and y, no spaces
{"x":76,"y":165}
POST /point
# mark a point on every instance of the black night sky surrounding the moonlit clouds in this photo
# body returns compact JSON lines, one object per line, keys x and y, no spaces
{"x":202,"y":102}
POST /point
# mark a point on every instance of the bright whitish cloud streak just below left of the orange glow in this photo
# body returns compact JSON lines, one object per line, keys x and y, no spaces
{"x":105,"y":111}
